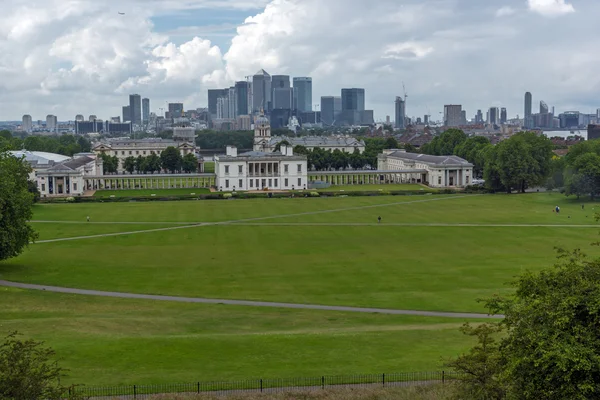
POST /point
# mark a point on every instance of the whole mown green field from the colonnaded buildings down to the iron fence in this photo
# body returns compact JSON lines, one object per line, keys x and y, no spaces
{"x":430,"y":252}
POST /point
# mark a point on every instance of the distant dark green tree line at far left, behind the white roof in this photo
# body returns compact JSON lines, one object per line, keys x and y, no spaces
{"x":64,"y":144}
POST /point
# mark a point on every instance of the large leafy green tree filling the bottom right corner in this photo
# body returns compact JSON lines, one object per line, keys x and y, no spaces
{"x":551,"y":349}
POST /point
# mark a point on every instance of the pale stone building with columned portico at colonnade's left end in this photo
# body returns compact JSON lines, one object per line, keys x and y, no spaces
{"x":69,"y":177}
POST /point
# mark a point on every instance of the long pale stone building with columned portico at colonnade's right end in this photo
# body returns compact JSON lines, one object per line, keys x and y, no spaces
{"x":435,"y":171}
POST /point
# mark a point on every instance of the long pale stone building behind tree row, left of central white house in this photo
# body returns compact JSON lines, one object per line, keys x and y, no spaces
{"x":123,"y":148}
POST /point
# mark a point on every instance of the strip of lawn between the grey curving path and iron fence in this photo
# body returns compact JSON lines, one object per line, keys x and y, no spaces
{"x":119,"y":341}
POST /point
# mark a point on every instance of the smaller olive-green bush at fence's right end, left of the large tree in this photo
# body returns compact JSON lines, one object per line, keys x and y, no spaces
{"x":480,"y":368}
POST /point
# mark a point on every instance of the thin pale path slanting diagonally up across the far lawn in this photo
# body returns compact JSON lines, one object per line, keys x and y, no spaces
{"x":253,"y":219}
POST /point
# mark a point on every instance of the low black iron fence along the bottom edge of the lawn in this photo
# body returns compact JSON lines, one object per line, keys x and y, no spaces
{"x":266,"y":385}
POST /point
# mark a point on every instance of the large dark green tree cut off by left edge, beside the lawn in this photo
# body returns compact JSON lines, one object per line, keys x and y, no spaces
{"x":15,"y":206}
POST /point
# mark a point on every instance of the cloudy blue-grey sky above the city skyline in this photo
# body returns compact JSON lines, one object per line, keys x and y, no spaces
{"x":68,"y":57}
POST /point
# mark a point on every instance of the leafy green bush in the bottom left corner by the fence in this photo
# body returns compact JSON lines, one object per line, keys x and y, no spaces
{"x":28,"y":371}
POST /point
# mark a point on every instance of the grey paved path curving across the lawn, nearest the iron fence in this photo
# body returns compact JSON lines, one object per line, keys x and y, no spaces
{"x":245,"y":302}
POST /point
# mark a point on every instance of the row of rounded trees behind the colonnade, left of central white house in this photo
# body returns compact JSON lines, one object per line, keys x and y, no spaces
{"x":170,"y":160}
